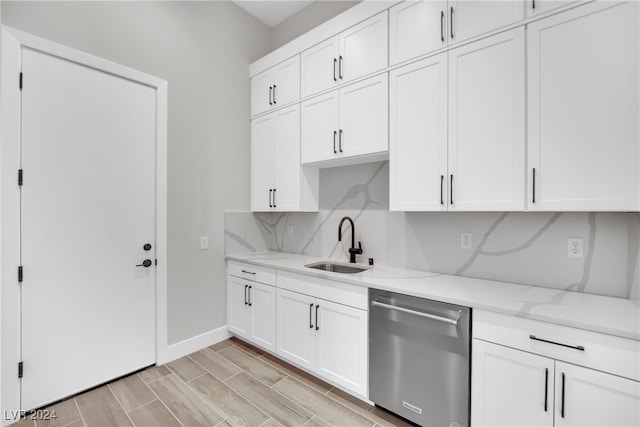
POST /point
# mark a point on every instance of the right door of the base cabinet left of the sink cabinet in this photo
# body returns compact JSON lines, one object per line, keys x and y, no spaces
{"x":263,"y":320}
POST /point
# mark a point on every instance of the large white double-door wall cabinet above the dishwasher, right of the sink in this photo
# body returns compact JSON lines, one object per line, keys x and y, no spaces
{"x":478,"y":163}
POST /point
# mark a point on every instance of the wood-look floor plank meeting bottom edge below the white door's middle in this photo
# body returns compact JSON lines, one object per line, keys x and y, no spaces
{"x":99,"y":407}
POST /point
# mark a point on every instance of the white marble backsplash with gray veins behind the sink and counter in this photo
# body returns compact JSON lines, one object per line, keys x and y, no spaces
{"x":518,"y":247}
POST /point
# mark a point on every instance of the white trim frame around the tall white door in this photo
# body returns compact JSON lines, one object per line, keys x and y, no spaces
{"x":13,"y":41}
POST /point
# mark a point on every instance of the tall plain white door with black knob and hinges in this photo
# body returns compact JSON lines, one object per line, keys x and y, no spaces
{"x":88,"y":208}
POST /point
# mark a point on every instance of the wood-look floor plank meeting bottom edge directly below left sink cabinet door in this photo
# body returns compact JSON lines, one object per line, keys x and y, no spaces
{"x":278,"y":407}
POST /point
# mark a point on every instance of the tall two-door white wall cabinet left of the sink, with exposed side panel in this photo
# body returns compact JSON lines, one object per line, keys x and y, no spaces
{"x":278,"y":183}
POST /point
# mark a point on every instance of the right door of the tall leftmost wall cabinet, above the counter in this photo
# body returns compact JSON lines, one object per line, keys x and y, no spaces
{"x":286,"y":159}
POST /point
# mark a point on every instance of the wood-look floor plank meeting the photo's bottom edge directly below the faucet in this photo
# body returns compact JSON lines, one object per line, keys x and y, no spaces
{"x":326,"y":408}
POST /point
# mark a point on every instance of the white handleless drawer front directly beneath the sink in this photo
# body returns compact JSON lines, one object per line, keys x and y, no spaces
{"x":342,"y":293}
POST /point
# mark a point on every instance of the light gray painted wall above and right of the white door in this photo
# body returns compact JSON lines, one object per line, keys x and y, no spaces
{"x":203,"y":49}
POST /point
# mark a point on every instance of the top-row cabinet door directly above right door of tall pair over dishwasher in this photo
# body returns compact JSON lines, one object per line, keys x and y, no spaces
{"x":470,"y":18}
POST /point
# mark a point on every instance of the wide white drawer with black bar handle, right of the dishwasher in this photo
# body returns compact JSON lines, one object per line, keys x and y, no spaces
{"x":603,"y":352}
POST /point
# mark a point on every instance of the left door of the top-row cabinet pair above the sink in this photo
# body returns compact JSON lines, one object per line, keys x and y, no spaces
{"x":319,"y":67}
